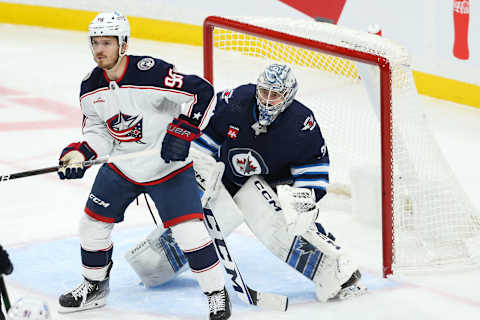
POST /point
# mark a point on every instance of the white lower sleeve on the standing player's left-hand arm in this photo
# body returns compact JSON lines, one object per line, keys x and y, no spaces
{"x":95,"y":132}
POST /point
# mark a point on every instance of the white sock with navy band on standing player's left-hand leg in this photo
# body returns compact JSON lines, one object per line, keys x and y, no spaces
{"x":96,"y":247}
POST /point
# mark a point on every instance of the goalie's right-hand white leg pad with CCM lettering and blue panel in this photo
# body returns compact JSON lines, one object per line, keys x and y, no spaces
{"x":312,"y":253}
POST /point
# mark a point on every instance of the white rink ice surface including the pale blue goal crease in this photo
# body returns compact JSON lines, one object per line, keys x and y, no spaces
{"x":41,"y":71}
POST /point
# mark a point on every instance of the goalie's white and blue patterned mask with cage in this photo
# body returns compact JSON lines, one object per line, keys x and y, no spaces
{"x":276,"y":89}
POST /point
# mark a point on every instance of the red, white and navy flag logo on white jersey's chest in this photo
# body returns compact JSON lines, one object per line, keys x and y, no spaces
{"x":125,"y":128}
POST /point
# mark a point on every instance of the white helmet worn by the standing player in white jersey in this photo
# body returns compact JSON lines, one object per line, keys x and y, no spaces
{"x":111,"y":24}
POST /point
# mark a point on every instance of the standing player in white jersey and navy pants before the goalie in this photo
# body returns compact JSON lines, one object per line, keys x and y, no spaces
{"x":132,"y":104}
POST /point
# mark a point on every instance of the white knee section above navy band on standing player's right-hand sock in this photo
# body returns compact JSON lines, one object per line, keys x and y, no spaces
{"x":190,"y":234}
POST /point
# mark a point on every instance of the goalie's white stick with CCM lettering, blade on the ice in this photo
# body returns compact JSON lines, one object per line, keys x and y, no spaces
{"x":244,"y":292}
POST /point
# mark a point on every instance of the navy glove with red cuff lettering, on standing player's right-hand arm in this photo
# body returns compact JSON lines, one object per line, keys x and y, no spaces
{"x":176,"y":144}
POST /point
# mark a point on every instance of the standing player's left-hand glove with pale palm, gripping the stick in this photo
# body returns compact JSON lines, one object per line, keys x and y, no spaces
{"x":71,"y":159}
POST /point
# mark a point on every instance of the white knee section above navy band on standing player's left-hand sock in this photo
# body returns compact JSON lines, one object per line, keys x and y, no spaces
{"x":95,"y":234}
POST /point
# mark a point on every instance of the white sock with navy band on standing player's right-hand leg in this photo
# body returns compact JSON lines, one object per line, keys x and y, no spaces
{"x":195,"y":242}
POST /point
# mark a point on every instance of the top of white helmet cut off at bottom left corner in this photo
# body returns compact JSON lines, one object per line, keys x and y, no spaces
{"x":29,"y":309}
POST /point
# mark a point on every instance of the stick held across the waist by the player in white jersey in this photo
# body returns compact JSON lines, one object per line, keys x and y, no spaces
{"x":87,"y":163}
